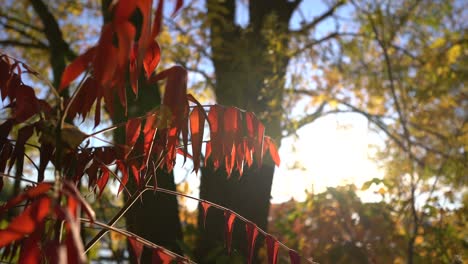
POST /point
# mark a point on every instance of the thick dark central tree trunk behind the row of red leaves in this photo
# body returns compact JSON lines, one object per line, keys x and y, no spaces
{"x":242,"y":65}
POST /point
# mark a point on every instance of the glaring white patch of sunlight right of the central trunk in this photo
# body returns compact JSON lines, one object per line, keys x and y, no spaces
{"x":332,"y":151}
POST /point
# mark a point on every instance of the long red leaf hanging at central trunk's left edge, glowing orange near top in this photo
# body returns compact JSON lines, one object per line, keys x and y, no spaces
{"x":197,"y":124}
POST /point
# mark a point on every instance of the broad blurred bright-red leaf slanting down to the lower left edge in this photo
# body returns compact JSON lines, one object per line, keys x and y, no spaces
{"x":26,"y":222}
